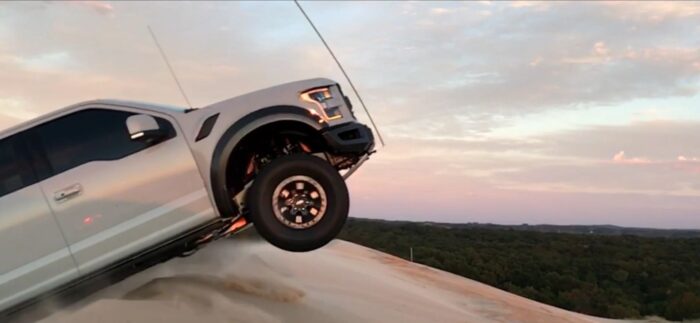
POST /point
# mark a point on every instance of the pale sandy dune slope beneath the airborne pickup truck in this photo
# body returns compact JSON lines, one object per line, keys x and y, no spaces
{"x":234,"y":281}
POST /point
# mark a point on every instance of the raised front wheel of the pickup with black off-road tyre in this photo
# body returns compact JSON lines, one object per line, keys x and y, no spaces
{"x":298,"y":202}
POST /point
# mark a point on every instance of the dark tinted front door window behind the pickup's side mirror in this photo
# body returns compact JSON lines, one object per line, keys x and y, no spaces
{"x":90,"y":135}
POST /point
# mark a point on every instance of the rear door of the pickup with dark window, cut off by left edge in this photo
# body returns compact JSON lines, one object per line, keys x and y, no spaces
{"x":34,"y":255}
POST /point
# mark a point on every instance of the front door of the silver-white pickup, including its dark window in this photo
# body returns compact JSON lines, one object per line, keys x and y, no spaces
{"x":114,"y":196}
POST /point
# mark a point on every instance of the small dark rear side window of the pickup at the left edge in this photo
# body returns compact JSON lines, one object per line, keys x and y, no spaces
{"x":15,"y":169}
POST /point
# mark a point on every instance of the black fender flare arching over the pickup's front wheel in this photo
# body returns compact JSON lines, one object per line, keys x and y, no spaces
{"x":233,"y":135}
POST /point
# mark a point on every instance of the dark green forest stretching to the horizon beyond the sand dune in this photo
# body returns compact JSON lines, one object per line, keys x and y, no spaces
{"x":620,"y":276}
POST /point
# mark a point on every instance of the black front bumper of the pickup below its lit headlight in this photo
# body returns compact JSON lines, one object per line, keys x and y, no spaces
{"x":349,"y":138}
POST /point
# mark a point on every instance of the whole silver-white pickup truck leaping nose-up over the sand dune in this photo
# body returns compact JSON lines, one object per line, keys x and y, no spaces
{"x":104,"y":186}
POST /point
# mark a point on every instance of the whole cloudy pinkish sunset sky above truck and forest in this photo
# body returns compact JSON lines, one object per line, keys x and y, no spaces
{"x":523,"y":112}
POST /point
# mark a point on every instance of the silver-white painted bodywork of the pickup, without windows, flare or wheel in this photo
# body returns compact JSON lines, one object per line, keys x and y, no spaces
{"x":79,"y":220}
